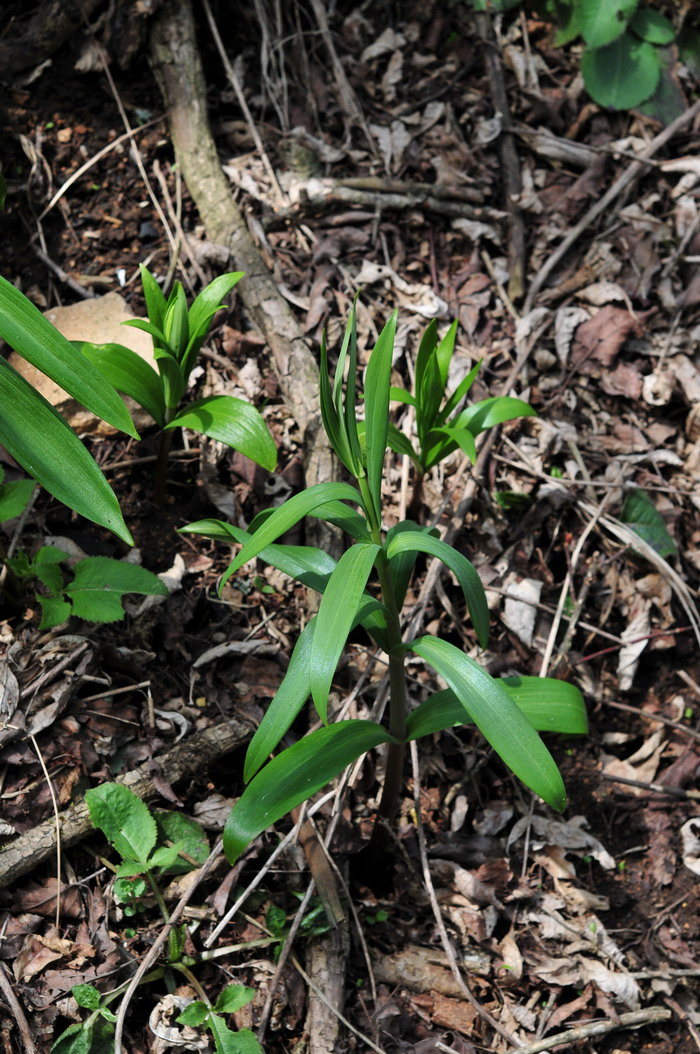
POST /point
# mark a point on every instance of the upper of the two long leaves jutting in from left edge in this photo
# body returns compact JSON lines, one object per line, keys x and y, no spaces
{"x":32,"y":337}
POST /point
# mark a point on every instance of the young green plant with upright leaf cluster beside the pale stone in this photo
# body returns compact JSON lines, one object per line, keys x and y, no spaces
{"x":179,"y":335}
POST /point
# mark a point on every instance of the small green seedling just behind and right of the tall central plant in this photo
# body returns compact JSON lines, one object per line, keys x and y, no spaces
{"x":443,"y":425}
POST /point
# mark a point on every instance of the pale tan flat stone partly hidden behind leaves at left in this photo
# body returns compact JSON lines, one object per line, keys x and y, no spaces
{"x":99,"y":321}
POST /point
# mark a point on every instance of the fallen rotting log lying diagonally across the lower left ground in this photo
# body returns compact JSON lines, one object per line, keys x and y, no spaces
{"x":189,"y":757}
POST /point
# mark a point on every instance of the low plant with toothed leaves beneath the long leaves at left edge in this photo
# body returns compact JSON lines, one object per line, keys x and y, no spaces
{"x":95,"y":592}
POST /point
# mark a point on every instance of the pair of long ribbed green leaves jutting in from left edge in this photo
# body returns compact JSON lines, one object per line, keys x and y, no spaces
{"x":35,"y":434}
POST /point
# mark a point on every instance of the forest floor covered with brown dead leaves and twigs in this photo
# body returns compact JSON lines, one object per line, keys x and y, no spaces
{"x":388,"y":180}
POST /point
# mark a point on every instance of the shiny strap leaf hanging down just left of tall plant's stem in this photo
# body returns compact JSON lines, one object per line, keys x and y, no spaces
{"x":337,"y":614}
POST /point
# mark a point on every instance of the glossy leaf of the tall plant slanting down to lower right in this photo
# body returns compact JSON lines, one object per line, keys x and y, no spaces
{"x":498,"y":718}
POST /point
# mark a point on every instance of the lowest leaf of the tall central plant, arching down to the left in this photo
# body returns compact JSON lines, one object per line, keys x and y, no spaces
{"x":295,"y":776}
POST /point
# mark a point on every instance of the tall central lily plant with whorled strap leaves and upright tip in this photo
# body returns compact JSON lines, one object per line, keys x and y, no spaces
{"x":367,"y":588}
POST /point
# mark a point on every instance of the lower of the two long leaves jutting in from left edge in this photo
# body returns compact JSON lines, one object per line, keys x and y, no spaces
{"x":42,"y":442}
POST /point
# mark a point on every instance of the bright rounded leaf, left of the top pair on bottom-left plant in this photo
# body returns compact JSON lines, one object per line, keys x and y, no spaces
{"x":124,"y":819}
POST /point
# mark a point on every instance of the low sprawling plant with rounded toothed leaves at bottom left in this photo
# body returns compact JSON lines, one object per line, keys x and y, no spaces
{"x":152,"y":846}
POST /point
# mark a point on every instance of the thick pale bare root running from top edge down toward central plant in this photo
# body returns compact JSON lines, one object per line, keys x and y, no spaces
{"x":179,"y":71}
